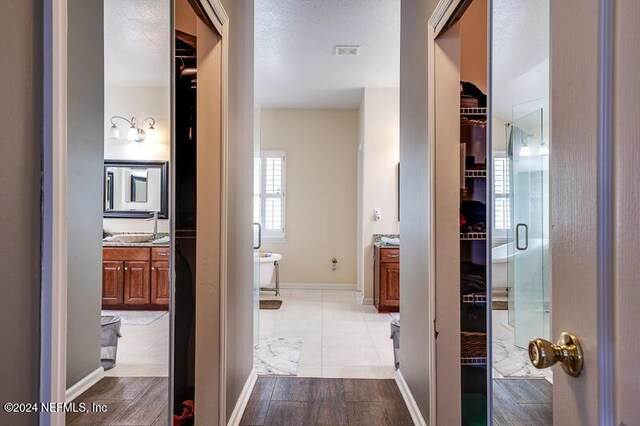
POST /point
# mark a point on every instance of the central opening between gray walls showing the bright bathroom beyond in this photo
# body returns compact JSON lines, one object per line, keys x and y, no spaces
{"x":322,"y":301}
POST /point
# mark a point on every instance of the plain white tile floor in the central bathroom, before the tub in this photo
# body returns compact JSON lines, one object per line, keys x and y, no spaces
{"x":341,"y":337}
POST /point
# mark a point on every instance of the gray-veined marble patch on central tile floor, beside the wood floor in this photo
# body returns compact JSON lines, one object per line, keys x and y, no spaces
{"x":277,"y":356}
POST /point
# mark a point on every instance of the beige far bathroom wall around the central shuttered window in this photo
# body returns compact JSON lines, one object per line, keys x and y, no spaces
{"x":320,"y":192}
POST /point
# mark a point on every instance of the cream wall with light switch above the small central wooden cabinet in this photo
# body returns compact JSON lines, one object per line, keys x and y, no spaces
{"x":378,"y":183}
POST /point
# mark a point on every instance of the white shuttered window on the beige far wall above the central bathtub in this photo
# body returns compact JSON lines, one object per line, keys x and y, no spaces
{"x":271,"y":166}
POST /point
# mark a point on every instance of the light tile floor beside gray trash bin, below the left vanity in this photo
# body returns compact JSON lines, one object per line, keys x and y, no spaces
{"x":143,"y":350}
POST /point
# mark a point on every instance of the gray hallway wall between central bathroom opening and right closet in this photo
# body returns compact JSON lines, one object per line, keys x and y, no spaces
{"x":414,"y":263}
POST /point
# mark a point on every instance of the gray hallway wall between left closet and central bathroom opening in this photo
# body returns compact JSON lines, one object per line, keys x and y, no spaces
{"x":240,"y":204}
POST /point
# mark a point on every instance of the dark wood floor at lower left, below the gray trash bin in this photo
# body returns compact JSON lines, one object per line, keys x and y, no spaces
{"x":129,"y":400}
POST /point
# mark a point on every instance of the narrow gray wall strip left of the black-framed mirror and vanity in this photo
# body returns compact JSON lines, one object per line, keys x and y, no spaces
{"x":85,"y":157}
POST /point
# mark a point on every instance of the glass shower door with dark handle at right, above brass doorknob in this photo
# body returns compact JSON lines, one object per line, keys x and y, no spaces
{"x":528,"y":257}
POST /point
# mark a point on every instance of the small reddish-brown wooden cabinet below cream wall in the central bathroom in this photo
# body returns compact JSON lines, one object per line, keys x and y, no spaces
{"x":386,"y":285}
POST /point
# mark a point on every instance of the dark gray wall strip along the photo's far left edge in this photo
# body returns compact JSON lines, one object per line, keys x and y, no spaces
{"x":21,"y":142}
